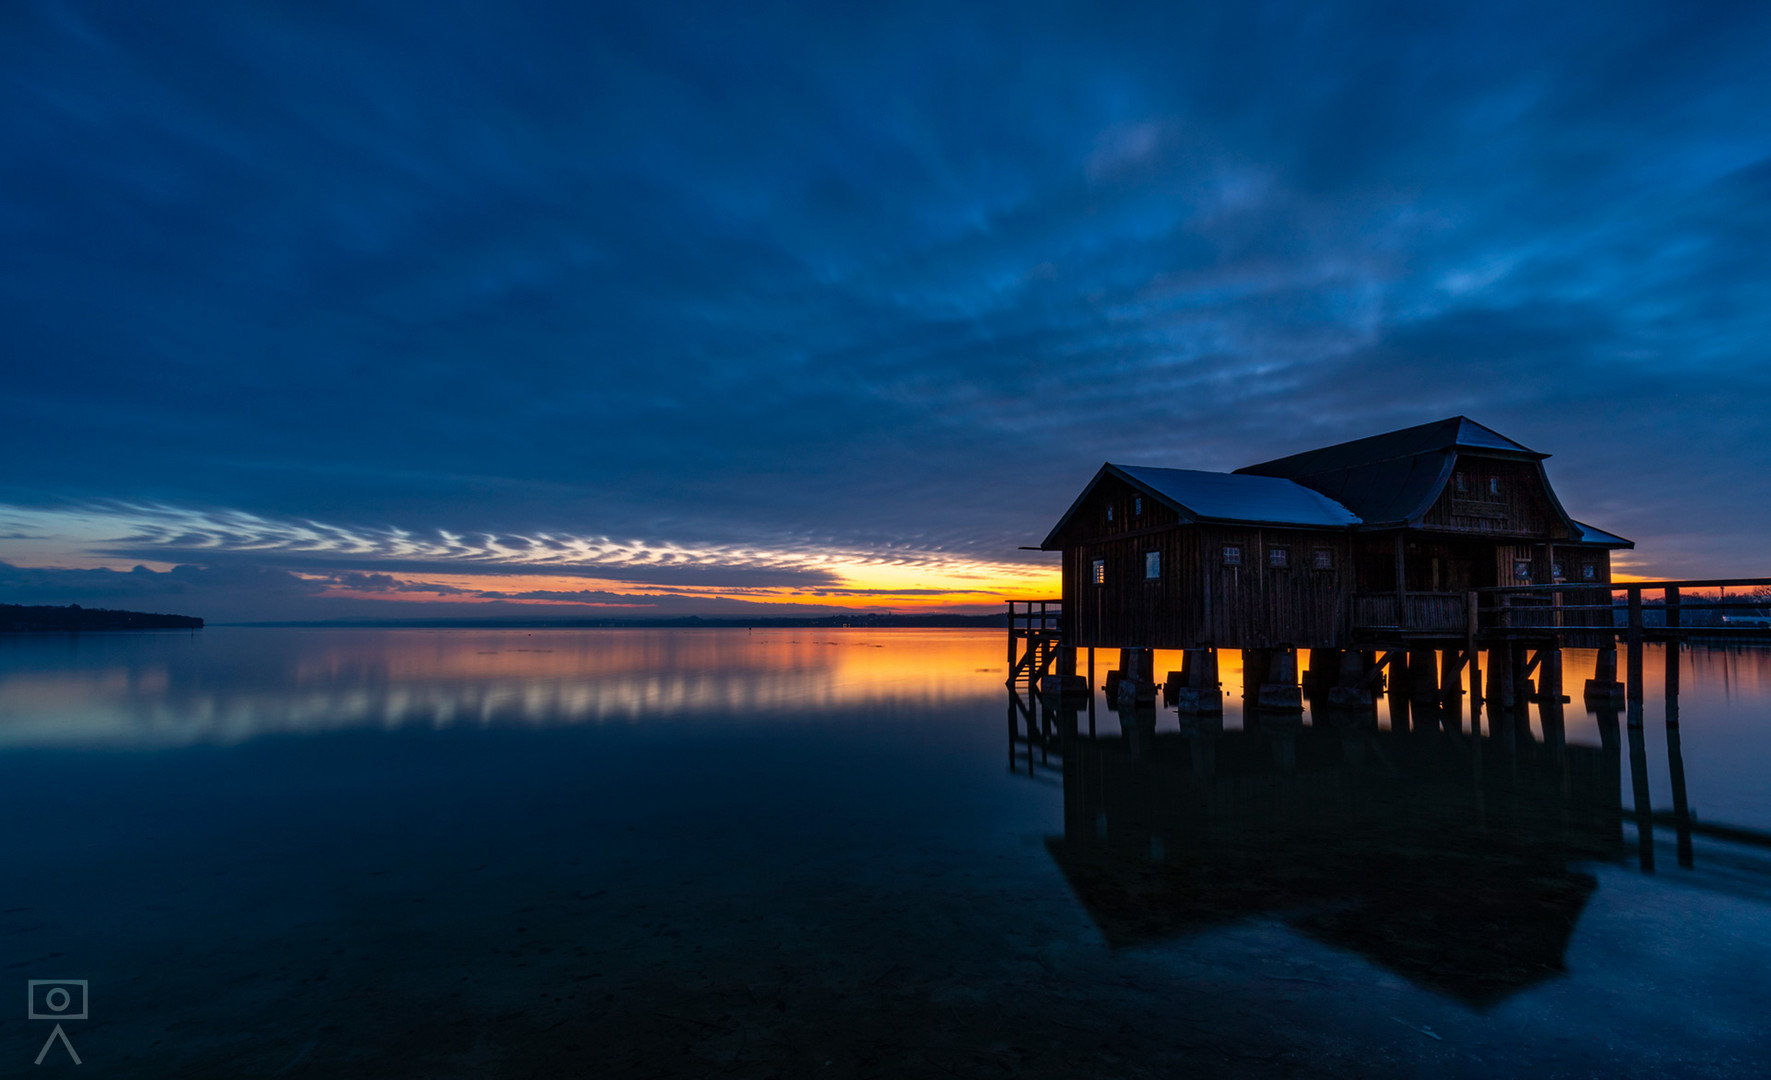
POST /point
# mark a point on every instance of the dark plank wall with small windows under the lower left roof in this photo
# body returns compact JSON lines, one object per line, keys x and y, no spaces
{"x":1200,"y":598}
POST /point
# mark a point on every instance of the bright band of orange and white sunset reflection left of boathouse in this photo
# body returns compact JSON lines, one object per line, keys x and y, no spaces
{"x":236,"y":684}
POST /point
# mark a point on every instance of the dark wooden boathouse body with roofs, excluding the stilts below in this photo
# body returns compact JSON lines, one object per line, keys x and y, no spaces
{"x":1388,"y":536}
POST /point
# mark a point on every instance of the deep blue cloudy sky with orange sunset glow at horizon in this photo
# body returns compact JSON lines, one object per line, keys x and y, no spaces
{"x":552,"y":311}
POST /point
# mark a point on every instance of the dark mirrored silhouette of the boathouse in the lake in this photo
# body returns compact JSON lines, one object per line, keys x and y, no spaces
{"x":1446,"y":858}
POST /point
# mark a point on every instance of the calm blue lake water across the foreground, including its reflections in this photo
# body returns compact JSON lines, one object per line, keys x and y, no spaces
{"x":821,"y":854}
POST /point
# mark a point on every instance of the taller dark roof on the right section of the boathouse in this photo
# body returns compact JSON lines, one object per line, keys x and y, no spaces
{"x":1395,"y":477}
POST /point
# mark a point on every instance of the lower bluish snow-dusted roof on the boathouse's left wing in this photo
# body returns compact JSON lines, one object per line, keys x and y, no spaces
{"x":1223,"y":498}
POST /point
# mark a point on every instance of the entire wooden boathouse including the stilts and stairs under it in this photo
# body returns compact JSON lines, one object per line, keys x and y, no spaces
{"x":1409,"y":552}
